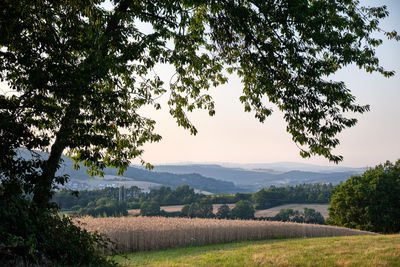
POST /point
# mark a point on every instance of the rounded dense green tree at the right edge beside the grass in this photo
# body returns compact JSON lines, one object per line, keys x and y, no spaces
{"x":369,"y":202}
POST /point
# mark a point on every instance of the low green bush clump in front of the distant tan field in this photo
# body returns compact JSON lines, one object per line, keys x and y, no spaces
{"x":308,"y":216}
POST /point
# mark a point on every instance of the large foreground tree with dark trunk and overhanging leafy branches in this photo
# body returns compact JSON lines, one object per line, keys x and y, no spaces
{"x":80,"y":70}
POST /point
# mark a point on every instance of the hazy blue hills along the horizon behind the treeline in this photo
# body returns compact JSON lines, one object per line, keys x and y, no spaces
{"x":213,"y":177}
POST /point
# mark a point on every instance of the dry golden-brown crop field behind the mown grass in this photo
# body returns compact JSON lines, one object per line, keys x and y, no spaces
{"x":152,"y":233}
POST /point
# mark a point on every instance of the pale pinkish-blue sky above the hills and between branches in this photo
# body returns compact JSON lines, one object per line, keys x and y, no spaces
{"x":237,"y":137}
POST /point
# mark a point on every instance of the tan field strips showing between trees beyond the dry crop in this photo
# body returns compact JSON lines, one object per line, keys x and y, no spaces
{"x":323,"y":208}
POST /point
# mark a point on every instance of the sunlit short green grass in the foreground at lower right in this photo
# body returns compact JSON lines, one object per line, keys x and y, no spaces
{"x":380,"y":250}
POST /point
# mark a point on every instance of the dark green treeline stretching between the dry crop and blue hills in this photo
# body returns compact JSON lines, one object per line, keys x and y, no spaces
{"x":116,"y":201}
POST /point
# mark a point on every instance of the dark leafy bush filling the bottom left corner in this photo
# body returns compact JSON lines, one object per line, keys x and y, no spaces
{"x":43,"y":237}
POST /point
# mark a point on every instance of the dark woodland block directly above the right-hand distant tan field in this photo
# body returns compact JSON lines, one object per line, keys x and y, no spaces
{"x":304,"y":193}
